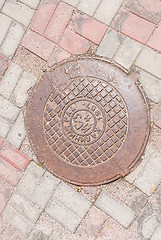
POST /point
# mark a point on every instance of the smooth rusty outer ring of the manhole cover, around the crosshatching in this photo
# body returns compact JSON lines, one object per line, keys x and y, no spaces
{"x":115,"y":167}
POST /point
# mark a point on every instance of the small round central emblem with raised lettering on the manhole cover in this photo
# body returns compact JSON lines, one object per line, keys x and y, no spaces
{"x":83,"y":121}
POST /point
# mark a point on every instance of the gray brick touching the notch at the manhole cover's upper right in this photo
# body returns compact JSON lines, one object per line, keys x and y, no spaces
{"x":127,"y":53}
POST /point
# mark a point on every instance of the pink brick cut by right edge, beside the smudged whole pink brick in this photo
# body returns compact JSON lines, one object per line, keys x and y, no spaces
{"x":155,"y":39}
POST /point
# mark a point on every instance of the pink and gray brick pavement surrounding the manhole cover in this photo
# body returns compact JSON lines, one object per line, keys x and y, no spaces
{"x":35,"y":35}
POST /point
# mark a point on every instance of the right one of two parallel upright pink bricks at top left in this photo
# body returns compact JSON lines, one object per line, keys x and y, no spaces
{"x":58,"y":22}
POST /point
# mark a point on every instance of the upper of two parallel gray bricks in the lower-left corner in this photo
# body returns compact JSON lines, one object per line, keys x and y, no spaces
{"x":25,"y":207}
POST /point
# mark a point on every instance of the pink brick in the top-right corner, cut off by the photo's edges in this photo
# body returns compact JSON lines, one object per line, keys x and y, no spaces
{"x":147,"y":9}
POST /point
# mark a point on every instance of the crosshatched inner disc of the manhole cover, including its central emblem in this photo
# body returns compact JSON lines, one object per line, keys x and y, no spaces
{"x":86,"y":122}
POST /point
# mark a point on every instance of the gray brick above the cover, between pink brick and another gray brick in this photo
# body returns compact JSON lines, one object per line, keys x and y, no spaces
{"x":110,"y":44}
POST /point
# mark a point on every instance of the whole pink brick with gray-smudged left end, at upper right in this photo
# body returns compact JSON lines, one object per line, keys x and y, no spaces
{"x":133,"y":26}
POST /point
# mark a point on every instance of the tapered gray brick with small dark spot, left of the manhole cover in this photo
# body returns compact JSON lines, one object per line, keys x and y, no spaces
{"x":17,"y":133}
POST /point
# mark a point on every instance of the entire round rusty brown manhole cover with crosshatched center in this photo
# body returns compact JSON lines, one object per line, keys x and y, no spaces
{"x":88,"y":122}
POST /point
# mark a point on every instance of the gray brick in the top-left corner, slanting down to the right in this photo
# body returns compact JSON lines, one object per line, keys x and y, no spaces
{"x":18,"y":11}
